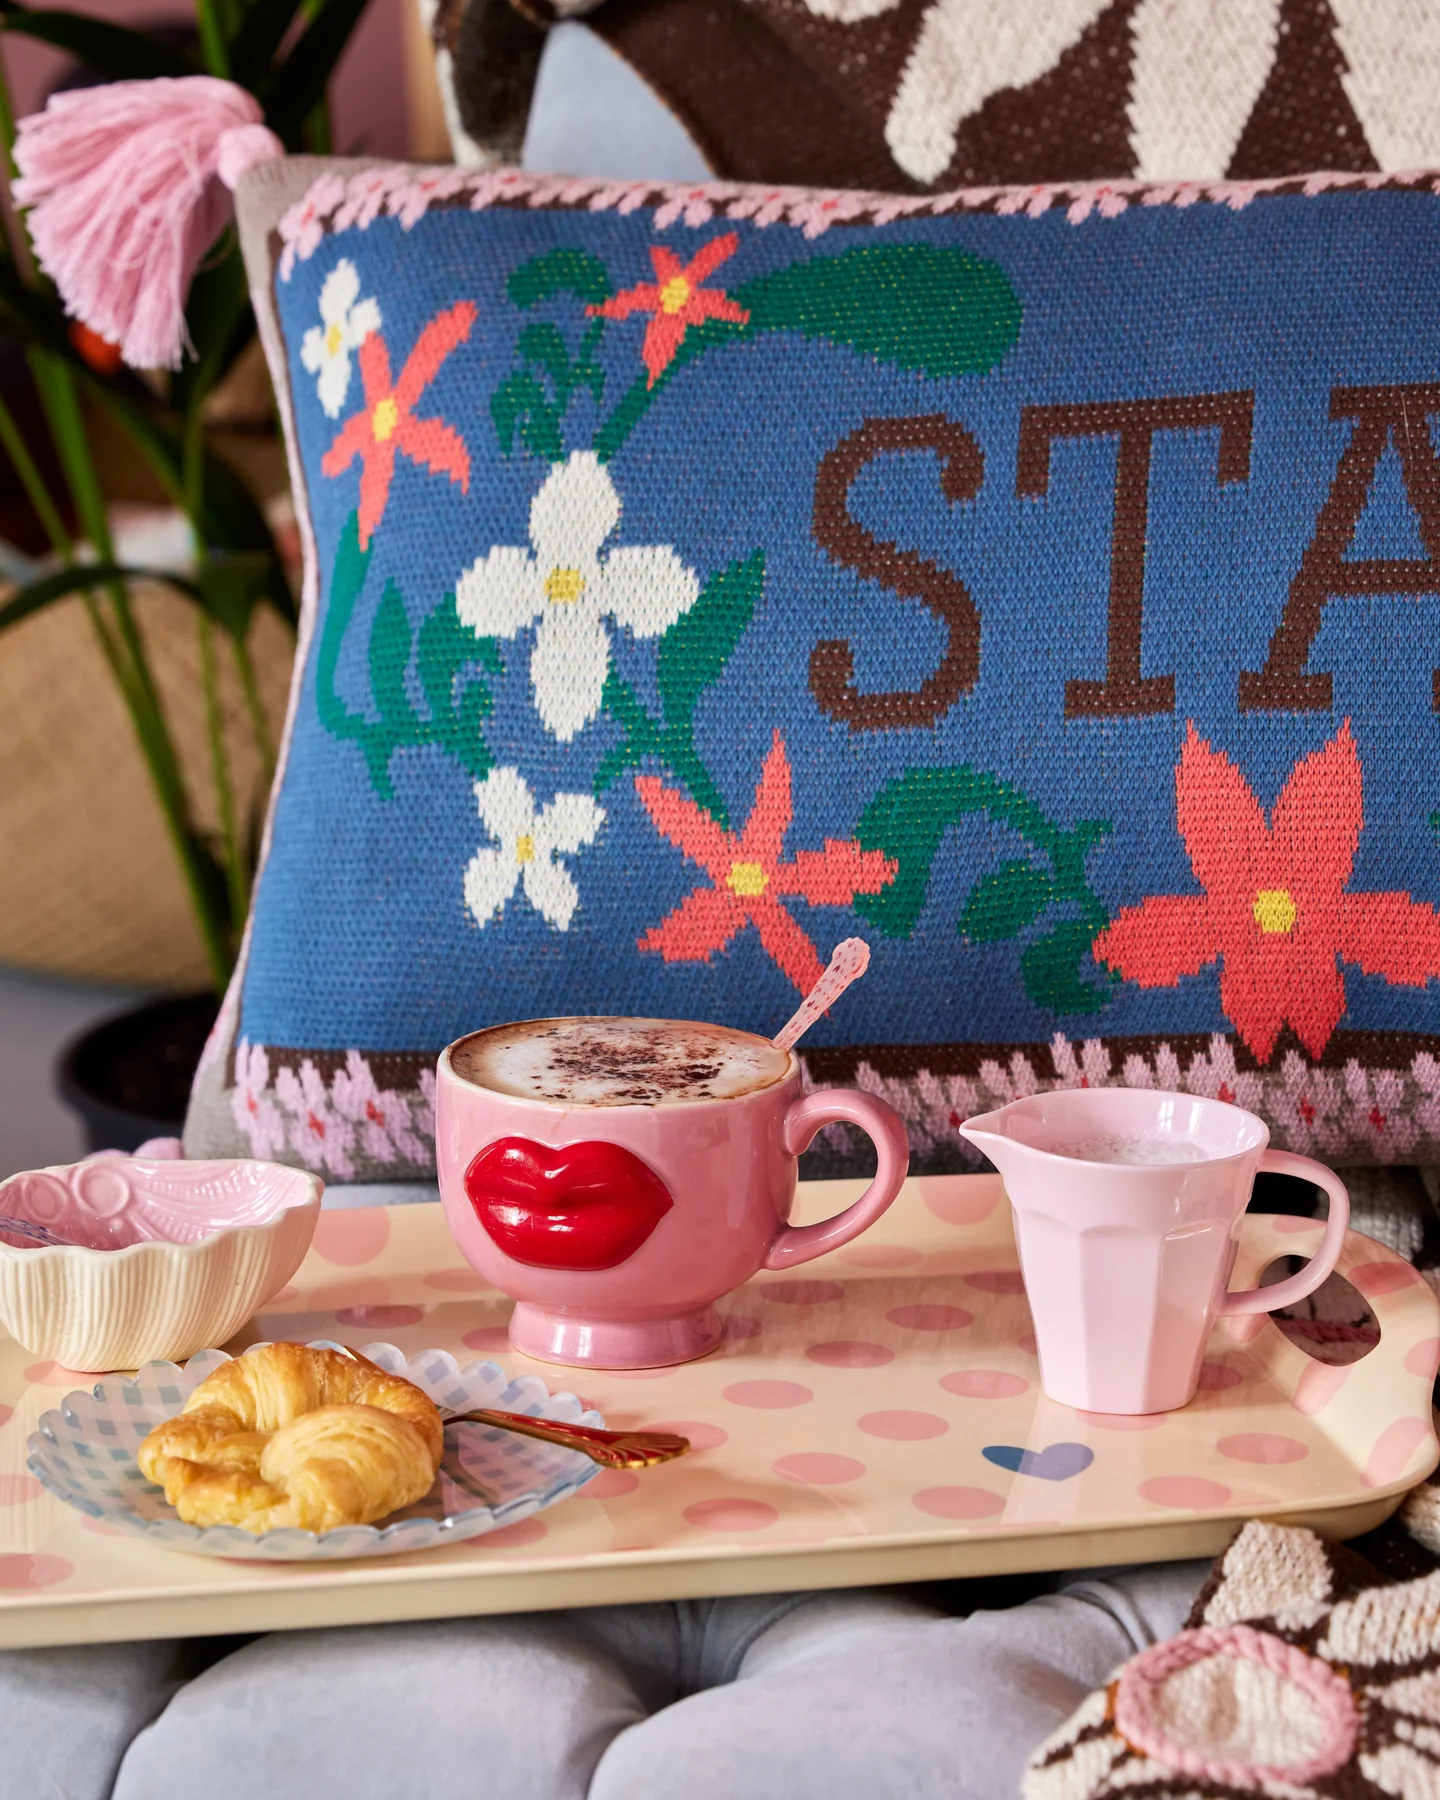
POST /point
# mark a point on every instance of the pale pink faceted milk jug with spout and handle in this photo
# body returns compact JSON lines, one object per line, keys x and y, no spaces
{"x":1128,"y":1210}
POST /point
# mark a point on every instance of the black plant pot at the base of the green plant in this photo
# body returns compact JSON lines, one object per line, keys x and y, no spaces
{"x":130,"y":1077}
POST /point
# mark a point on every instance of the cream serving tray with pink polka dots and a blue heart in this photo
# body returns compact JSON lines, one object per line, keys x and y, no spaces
{"x":876,"y":1417}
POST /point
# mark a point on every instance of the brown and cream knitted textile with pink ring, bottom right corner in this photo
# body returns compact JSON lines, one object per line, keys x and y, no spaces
{"x":1299,"y":1677}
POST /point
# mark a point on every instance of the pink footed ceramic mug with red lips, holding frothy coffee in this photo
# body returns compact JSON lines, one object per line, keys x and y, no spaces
{"x":618,"y":1227}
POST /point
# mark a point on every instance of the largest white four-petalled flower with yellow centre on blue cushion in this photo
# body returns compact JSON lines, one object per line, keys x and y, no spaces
{"x":571,"y":589}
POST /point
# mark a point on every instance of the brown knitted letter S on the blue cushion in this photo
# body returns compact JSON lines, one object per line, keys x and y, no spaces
{"x":832,"y":661}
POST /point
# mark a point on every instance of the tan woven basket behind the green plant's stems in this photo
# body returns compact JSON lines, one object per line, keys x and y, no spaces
{"x":89,"y":883}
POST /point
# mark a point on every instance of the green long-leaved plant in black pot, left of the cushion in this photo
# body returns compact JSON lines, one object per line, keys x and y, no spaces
{"x":129,"y":1077}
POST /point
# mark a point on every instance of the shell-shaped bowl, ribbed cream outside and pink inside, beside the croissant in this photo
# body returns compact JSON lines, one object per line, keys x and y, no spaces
{"x":168,"y":1255}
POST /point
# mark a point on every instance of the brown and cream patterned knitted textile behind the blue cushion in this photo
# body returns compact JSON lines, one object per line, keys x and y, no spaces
{"x":935,"y":94}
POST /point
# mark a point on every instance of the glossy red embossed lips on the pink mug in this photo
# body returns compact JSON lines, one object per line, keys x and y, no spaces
{"x":579,"y":1207}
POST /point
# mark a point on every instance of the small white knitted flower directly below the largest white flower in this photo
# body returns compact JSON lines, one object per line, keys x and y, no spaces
{"x":526,"y":849}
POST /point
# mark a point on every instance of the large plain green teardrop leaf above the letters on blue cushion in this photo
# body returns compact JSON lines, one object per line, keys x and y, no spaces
{"x":913,"y":305}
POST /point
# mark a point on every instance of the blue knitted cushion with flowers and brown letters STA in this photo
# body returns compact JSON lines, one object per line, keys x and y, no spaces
{"x":1039,"y":584}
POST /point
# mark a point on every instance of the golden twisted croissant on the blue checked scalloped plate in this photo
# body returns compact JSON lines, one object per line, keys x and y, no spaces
{"x":289,"y":1435}
